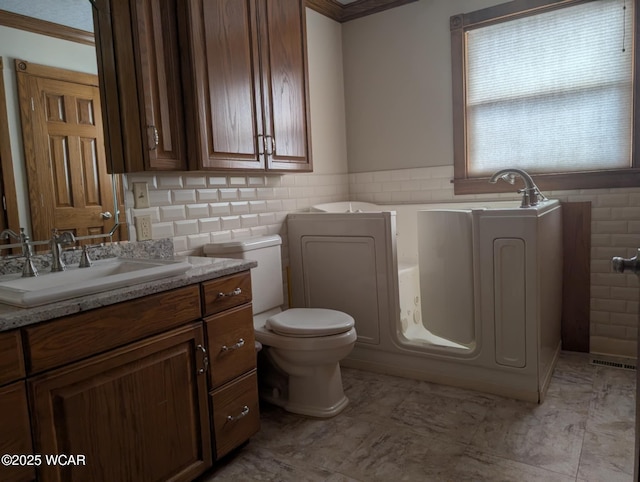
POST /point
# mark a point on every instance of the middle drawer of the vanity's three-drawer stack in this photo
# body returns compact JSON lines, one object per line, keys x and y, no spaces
{"x":231,"y":344}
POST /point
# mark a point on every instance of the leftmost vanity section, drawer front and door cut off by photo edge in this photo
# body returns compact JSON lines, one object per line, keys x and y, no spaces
{"x":14,"y":414}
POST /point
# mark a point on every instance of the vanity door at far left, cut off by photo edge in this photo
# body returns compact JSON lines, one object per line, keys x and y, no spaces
{"x":15,"y":435}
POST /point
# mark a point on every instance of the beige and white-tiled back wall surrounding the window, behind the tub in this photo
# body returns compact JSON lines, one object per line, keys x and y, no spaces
{"x":400,"y":147}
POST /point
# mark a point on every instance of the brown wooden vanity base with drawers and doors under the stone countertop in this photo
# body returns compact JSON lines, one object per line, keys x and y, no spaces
{"x":143,"y":389}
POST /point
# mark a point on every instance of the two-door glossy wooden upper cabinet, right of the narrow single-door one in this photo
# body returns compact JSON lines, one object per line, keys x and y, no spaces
{"x":249,"y":84}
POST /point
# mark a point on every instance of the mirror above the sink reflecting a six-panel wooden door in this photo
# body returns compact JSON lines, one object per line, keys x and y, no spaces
{"x":60,"y":39}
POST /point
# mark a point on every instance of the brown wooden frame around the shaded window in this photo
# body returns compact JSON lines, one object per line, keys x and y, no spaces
{"x":463,"y":182}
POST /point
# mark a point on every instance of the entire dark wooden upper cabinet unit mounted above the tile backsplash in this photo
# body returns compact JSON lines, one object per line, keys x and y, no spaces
{"x":204,"y":84}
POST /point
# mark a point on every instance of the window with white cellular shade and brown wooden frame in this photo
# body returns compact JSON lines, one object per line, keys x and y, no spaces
{"x":549,"y":89}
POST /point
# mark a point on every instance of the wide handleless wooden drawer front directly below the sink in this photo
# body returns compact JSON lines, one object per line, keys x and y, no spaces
{"x":78,"y":336}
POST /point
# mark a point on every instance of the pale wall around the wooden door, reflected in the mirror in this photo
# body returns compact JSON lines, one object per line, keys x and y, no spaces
{"x":38,"y":49}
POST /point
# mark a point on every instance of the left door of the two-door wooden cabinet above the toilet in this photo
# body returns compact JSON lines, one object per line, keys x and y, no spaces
{"x":225,"y":89}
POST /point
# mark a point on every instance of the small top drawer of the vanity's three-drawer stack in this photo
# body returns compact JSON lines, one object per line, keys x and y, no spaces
{"x":224,"y":293}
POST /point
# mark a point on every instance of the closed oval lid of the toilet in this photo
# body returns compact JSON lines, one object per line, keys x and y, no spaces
{"x":307,"y":322}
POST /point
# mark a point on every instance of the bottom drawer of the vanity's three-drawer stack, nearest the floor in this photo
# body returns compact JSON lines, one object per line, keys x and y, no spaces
{"x":236,"y":414}
